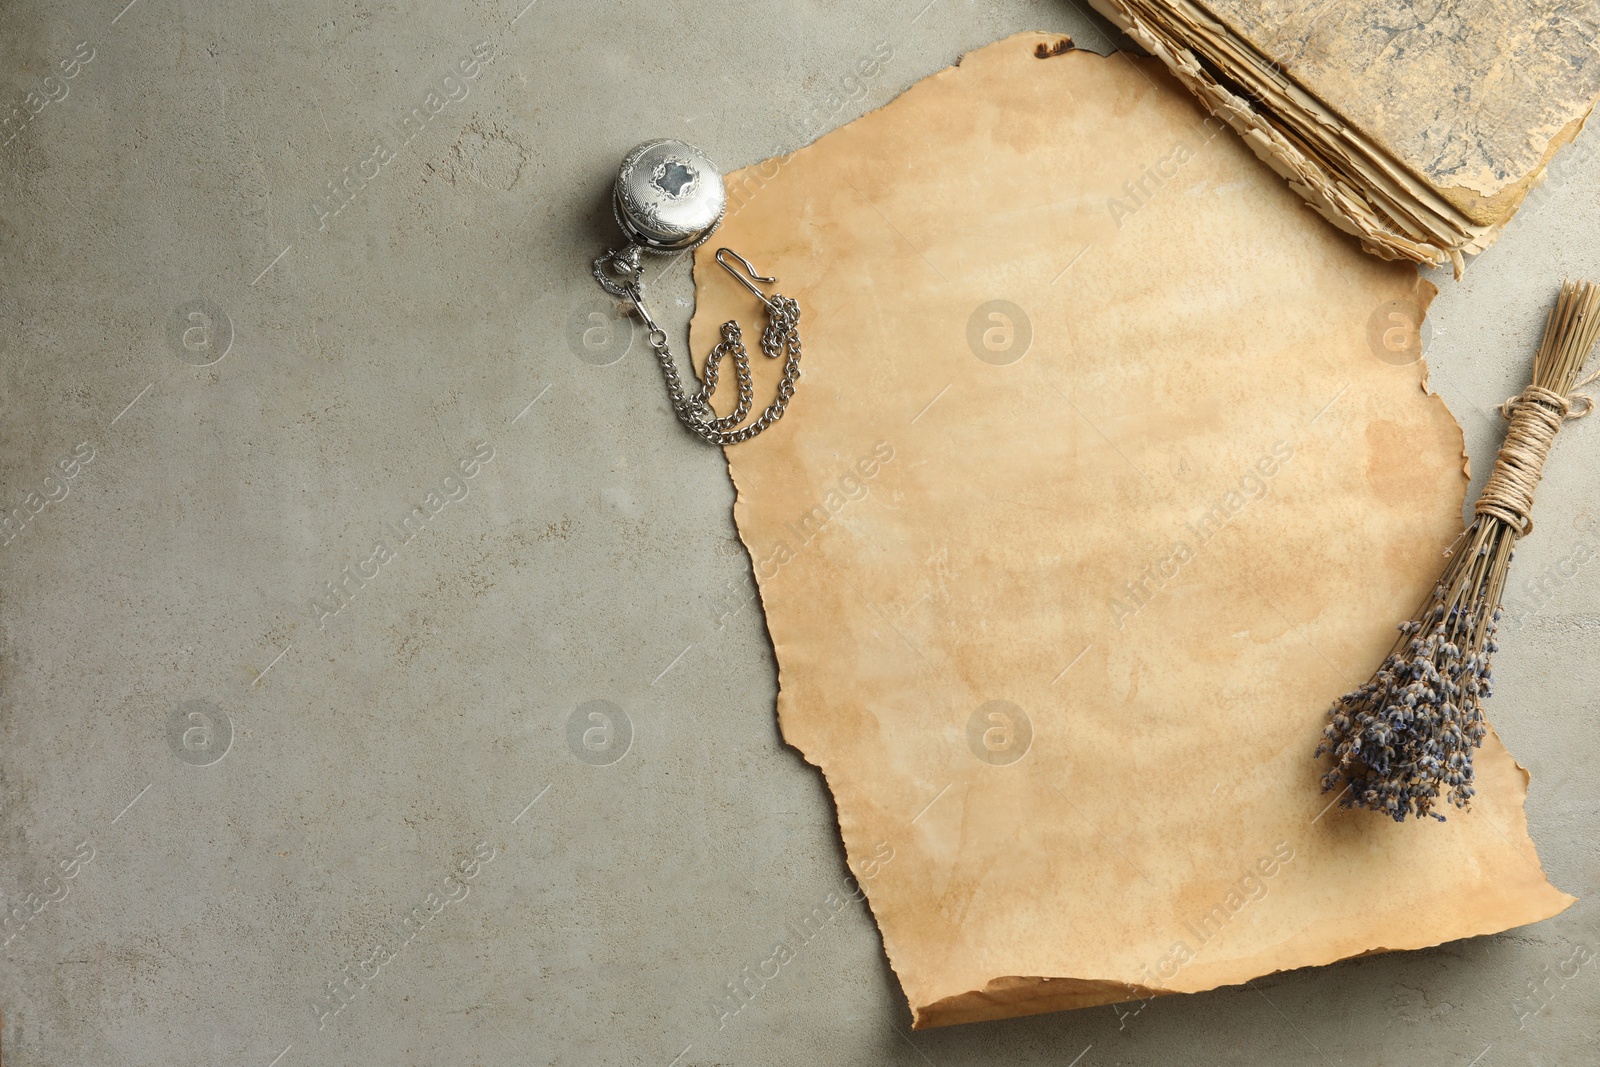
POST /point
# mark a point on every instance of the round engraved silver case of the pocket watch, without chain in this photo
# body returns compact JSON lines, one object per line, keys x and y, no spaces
{"x":670,"y":198}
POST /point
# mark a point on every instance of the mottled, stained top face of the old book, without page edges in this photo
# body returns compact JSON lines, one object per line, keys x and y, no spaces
{"x":1473,"y":97}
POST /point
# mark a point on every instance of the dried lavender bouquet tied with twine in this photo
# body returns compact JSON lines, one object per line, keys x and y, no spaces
{"x":1407,"y":737}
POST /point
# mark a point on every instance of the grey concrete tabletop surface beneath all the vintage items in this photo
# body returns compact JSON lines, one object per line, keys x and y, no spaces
{"x":297,"y":775}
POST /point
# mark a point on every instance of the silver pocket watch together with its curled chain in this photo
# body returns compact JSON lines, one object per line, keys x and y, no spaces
{"x":671,"y":199}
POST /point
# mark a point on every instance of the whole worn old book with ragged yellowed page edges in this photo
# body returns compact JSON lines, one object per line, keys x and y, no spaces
{"x":1418,"y":129}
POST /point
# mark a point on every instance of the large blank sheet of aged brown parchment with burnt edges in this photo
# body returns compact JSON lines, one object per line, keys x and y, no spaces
{"x":1110,"y":470}
